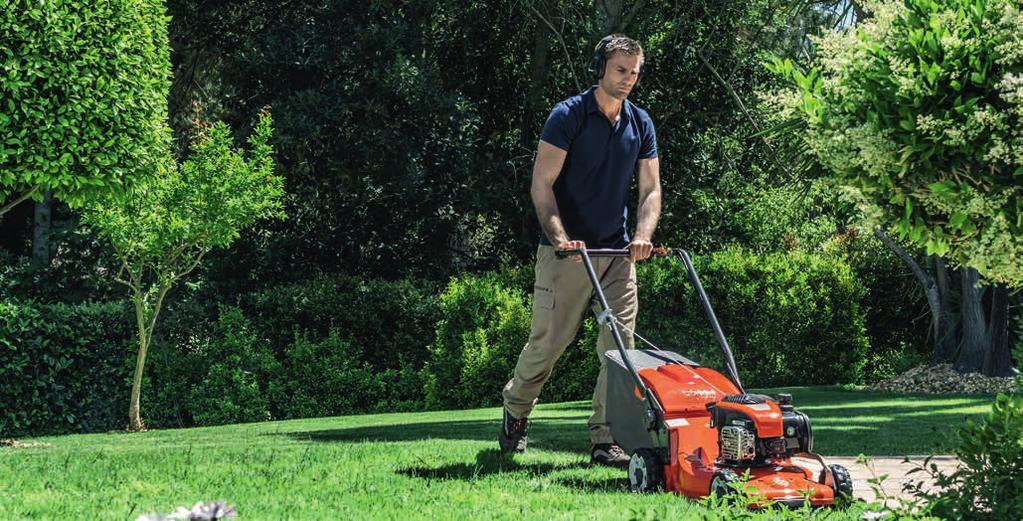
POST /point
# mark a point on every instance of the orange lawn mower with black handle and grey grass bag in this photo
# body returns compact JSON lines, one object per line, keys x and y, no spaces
{"x":693,"y":431}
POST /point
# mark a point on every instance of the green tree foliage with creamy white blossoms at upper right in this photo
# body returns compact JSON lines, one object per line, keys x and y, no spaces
{"x":919,"y":110}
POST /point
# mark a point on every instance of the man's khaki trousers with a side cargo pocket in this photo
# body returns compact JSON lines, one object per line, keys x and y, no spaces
{"x":562,"y":295}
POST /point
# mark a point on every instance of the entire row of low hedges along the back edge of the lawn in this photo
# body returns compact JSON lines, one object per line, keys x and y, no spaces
{"x":342,"y":345}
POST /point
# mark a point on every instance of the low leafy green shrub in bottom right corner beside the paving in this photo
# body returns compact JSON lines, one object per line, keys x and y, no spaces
{"x":990,"y":483}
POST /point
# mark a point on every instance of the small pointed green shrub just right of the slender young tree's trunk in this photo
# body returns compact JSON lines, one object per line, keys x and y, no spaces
{"x":235,"y":387}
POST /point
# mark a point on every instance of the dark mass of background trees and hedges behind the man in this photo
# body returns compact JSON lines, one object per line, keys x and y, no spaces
{"x":404,"y":272}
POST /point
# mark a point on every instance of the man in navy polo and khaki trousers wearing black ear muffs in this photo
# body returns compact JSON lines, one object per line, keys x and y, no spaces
{"x":591,"y":147}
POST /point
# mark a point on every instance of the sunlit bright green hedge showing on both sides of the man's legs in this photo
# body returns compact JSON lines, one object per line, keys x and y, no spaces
{"x":792,"y":319}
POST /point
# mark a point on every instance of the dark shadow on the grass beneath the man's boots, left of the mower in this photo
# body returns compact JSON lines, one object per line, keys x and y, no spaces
{"x":493,"y":461}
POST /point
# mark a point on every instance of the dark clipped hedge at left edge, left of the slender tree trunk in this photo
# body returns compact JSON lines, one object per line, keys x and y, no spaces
{"x":64,"y":368}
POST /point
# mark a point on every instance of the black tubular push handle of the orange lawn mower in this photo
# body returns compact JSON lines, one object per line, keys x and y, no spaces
{"x":730,"y":361}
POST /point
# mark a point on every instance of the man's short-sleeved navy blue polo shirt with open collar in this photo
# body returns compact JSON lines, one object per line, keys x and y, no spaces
{"x":593,"y":190}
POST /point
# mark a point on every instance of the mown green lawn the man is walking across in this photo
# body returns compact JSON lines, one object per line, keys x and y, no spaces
{"x":441,"y":465}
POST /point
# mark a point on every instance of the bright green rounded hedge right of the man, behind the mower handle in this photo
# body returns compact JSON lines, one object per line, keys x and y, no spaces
{"x":791,"y":319}
